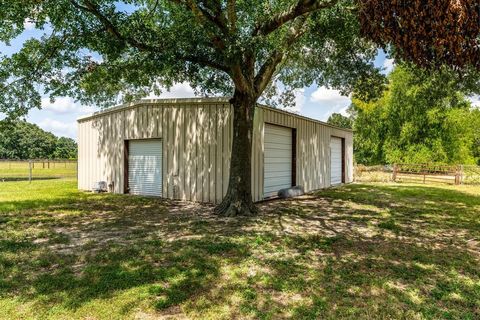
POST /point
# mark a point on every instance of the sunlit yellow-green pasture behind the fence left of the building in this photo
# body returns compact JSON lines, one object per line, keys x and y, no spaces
{"x":37,"y":169}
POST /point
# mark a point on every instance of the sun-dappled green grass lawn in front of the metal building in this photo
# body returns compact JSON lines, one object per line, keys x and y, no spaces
{"x":362,"y":251}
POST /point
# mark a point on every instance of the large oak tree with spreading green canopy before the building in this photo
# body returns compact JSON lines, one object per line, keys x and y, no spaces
{"x":96,"y":51}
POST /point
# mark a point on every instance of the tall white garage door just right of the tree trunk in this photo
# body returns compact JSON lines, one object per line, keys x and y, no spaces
{"x":277,"y":160}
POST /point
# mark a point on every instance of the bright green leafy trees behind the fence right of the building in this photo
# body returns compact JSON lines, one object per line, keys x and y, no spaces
{"x":421,"y":117}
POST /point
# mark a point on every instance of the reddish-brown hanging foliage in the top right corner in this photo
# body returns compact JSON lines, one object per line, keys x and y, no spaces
{"x":429,"y":33}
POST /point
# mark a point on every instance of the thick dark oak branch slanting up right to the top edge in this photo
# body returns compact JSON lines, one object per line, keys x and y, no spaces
{"x":301,"y":8}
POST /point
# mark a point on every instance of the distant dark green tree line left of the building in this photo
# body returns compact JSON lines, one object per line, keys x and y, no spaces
{"x":22,"y":140}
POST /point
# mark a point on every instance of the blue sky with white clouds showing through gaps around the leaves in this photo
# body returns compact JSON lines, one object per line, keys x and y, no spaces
{"x":59,"y":117}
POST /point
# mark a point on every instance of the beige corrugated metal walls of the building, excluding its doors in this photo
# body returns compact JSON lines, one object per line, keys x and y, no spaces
{"x":197,"y":137}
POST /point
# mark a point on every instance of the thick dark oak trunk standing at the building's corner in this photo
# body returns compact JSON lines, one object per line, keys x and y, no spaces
{"x":238,"y":200}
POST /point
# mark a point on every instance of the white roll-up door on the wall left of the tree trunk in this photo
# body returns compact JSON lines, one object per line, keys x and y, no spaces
{"x":145,"y":167}
